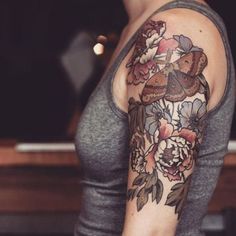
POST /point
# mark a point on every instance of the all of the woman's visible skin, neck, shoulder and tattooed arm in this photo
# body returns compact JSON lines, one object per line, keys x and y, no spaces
{"x":162,"y":204}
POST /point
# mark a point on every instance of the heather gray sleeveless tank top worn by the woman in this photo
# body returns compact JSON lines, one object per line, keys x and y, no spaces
{"x":103,"y":150}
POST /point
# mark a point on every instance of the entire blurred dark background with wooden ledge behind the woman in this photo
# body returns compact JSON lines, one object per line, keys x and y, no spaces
{"x":52,"y":55}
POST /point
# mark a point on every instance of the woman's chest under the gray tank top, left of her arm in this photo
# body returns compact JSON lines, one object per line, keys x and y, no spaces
{"x":102,"y":138}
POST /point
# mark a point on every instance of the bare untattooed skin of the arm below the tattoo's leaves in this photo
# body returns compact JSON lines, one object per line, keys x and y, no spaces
{"x":154,"y":219}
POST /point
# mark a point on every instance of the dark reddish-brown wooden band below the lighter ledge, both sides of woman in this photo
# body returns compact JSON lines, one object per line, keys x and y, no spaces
{"x":57,"y":189}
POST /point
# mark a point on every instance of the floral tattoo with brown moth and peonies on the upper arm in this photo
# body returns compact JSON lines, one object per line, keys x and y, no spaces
{"x":167,"y":122}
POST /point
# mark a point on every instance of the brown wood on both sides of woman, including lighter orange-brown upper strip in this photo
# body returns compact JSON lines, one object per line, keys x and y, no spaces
{"x":49,"y":182}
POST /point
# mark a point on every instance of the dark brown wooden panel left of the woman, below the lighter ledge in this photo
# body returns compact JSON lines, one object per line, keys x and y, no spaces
{"x":37,"y":189}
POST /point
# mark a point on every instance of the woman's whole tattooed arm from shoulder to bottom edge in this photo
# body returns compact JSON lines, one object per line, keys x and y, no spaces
{"x":168,"y":94}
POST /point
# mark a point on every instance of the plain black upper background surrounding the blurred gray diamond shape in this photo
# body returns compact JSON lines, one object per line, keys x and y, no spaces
{"x":37,"y":98}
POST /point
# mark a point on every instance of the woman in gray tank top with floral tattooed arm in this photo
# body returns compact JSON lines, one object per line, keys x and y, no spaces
{"x":159,"y":117}
